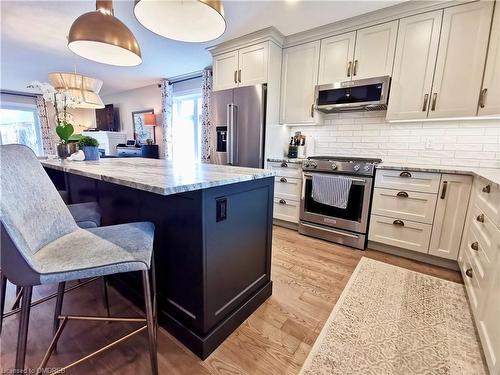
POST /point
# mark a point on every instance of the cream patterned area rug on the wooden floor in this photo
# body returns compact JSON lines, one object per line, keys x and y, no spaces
{"x":390,"y":320}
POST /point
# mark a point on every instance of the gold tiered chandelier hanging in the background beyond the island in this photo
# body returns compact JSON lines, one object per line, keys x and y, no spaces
{"x":85,"y":89}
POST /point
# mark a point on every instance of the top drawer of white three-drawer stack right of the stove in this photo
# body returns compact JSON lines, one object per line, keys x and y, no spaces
{"x":423,"y":182}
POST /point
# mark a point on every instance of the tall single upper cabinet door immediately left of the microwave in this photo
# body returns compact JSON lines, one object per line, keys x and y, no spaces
{"x":299,"y":77}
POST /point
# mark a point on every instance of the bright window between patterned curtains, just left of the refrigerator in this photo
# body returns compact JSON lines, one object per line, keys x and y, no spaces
{"x":186,"y":127}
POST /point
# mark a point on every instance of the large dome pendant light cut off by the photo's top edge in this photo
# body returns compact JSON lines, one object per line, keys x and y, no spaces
{"x":184,"y":20}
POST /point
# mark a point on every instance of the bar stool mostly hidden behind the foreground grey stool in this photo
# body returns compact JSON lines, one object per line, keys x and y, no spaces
{"x":86,"y":215}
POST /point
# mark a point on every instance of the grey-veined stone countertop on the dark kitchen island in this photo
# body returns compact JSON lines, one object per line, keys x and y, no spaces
{"x":158,"y":176}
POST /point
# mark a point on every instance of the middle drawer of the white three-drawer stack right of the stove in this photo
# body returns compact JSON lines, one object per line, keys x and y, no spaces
{"x":406,"y":205}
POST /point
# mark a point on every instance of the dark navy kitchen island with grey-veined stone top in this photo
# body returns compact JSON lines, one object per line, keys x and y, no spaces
{"x":212,"y":243}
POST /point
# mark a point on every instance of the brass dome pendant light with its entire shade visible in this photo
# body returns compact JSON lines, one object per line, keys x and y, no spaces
{"x":101,"y":37}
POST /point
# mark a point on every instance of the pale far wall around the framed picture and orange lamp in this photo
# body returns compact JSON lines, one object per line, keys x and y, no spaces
{"x":140,"y":99}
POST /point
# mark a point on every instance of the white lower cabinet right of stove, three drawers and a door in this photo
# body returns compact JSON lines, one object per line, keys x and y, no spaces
{"x":420,"y":211}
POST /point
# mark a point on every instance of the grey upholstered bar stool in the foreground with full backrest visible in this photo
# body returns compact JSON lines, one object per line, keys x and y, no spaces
{"x":41,"y":244}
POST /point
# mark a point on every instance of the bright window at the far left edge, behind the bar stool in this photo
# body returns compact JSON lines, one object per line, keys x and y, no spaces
{"x":19,"y":123}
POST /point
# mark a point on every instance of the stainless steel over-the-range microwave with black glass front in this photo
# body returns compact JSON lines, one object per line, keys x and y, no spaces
{"x":358,"y":95}
